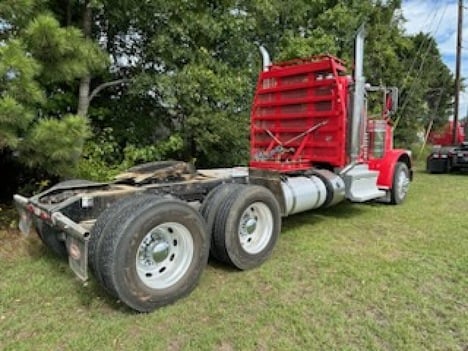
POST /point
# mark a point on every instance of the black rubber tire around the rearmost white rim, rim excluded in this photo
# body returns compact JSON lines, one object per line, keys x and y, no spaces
{"x":120,"y":243}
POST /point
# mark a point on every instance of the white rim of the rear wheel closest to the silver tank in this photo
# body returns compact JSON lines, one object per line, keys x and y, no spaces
{"x":256,"y":227}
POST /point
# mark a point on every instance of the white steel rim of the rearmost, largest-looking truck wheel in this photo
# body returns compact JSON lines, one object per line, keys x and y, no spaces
{"x":164,"y":255}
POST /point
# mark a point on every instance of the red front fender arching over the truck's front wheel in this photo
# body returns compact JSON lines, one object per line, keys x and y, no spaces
{"x":386,"y":166}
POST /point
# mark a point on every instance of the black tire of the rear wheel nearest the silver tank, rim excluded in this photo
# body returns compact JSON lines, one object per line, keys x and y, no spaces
{"x":227,"y":225}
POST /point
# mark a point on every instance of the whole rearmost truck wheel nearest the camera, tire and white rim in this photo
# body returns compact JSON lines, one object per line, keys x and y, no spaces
{"x":153,"y":252}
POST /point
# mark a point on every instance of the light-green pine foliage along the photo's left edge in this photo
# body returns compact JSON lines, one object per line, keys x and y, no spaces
{"x":39,"y":63}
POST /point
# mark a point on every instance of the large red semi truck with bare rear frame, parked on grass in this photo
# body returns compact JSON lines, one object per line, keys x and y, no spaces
{"x":147,"y":235}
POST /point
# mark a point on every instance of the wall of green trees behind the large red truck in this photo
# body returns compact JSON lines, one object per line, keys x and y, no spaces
{"x":181,"y":75}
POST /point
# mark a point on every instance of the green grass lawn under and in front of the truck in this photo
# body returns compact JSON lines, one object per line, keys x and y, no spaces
{"x":352,"y":277}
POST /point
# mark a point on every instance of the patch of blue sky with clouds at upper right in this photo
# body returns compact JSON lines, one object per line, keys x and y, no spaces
{"x":439,"y":18}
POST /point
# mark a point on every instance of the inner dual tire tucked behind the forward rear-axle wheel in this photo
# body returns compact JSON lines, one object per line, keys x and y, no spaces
{"x":209,"y":210}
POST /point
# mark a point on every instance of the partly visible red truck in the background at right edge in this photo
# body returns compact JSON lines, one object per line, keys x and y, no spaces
{"x":447,"y":156}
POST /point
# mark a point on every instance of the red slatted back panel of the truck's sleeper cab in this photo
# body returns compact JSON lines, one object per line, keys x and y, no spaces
{"x":299,"y":114}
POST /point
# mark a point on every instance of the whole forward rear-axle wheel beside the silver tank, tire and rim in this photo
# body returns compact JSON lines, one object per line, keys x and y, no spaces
{"x":247,"y":227}
